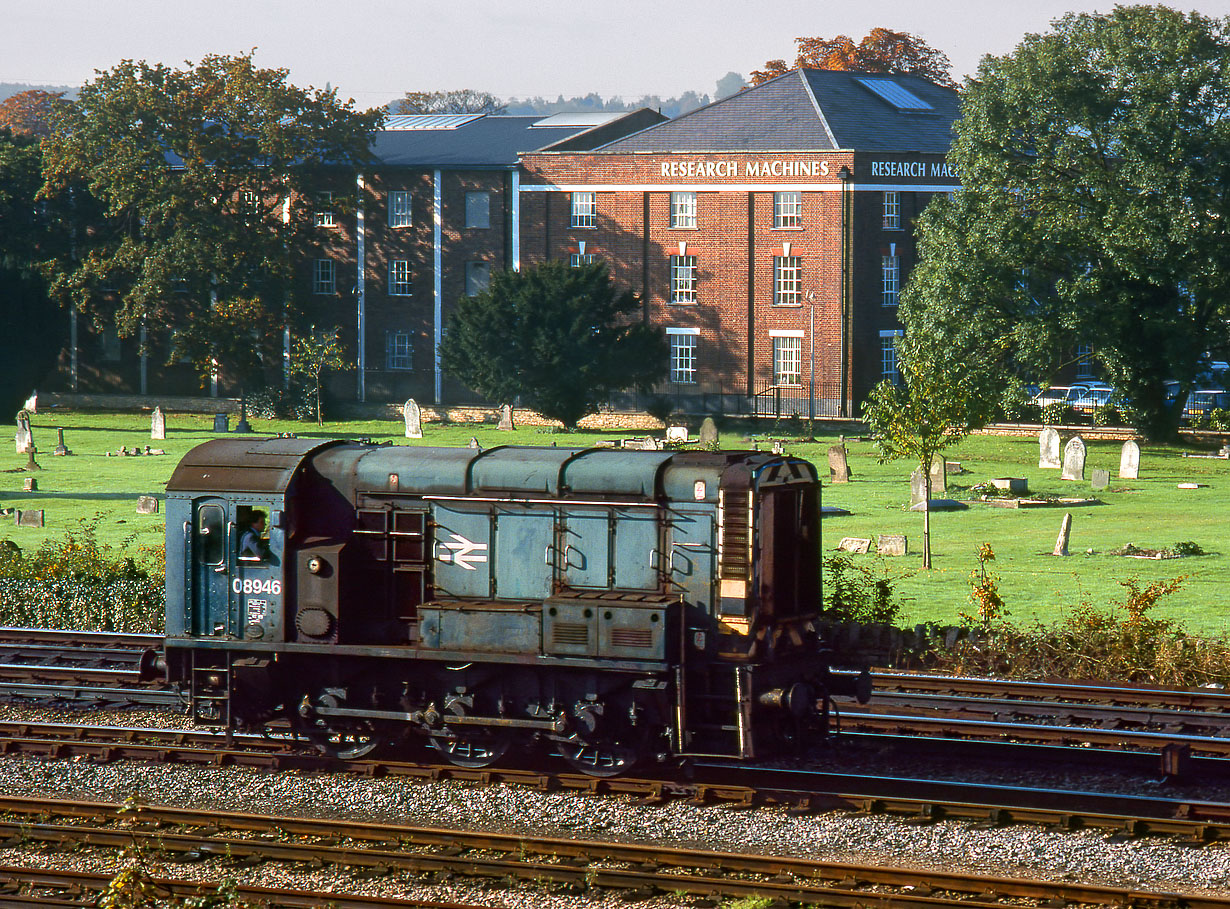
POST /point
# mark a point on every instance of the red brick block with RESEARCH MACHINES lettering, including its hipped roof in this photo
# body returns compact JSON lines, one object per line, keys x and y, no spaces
{"x":769,"y":233}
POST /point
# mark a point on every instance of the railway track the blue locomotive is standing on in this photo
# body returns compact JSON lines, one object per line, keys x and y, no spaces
{"x":730,"y":784}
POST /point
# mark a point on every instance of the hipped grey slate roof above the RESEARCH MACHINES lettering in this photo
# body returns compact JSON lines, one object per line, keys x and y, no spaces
{"x":809,"y":111}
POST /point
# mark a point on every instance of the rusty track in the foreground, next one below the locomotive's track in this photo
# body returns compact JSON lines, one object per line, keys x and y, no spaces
{"x":384,"y":851}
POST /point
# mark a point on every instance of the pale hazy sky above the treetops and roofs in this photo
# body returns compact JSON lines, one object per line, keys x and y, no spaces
{"x":376,"y":51}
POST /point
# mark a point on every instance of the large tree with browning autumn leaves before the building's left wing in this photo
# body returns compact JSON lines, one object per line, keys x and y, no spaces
{"x":205,"y":180}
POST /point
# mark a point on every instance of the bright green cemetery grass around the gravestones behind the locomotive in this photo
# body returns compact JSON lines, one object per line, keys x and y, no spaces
{"x":1151,"y":512}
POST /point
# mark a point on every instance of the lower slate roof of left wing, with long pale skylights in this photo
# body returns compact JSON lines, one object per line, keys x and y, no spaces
{"x":485,"y":141}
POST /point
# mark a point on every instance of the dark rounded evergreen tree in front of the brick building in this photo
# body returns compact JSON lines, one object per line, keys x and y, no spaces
{"x":560,"y":339}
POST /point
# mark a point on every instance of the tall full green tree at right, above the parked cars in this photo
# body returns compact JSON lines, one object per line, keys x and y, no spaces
{"x":1095,"y":168}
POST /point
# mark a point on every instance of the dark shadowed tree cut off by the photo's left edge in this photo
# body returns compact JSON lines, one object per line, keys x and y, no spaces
{"x":31,"y":330}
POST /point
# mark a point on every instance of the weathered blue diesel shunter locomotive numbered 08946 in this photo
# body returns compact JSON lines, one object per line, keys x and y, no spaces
{"x":613,"y":606}
